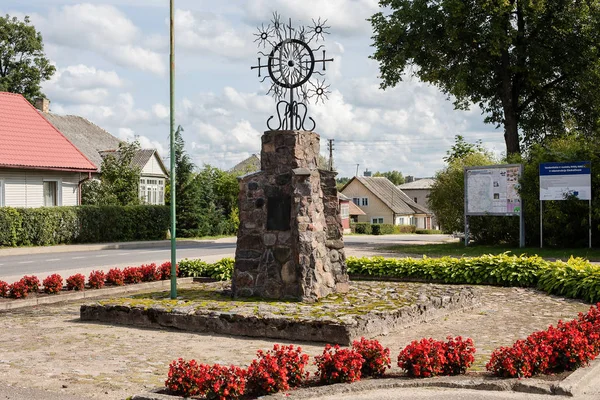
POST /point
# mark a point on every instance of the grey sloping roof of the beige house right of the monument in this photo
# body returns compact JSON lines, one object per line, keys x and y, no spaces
{"x":393,"y":197}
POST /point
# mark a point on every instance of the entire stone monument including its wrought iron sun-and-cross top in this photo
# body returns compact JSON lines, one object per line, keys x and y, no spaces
{"x":290,"y":243}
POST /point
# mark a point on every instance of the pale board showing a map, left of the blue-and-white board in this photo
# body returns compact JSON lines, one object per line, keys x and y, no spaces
{"x":493,"y":190}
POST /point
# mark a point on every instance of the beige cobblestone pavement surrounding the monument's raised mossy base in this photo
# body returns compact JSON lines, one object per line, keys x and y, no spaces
{"x":49,"y":348}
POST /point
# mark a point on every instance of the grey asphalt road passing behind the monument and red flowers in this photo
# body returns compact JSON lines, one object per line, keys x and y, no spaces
{"x":41,"y":263}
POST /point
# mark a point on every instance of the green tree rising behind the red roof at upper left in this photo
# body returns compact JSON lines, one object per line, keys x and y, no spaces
{"x":23,"y":64}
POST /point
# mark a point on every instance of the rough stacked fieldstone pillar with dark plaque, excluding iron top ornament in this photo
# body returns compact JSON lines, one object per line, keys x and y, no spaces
{"x":290,"y":242}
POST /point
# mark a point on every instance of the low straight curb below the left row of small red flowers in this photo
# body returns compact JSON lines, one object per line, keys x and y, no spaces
{"x":88,"y":294}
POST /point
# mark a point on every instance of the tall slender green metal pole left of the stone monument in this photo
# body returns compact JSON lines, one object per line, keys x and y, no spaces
{"x":172,"y":101}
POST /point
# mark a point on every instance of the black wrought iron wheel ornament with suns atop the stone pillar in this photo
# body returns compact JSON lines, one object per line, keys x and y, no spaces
{"x":290,"y":65}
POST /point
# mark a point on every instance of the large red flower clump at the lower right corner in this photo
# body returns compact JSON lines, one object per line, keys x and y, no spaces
{"x":566,"y":347}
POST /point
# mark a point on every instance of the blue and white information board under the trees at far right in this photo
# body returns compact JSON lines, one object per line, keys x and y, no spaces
{"x":560,"y":180}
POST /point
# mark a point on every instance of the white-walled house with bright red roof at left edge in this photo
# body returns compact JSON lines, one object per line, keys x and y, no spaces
{"x":39,"y":166}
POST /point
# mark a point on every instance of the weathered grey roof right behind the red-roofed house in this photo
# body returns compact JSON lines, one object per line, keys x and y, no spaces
{"x":89,"y":138}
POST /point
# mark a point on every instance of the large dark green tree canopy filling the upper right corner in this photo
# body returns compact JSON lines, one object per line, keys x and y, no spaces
{"x":532,"y":65}
